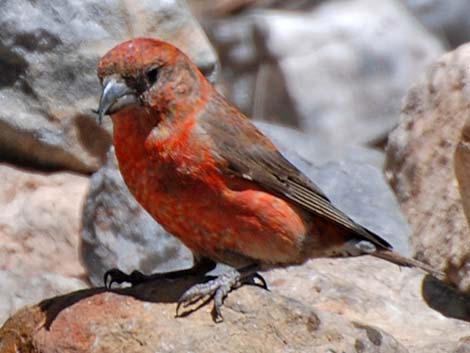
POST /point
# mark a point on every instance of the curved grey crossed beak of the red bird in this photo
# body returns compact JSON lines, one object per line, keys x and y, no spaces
{"x":114,"y":88}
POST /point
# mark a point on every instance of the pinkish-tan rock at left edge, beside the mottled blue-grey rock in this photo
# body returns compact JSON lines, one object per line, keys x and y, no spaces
{"x":40,"y":220}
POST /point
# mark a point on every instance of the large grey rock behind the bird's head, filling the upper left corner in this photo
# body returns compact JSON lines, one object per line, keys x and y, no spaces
{"x":49,"y":54}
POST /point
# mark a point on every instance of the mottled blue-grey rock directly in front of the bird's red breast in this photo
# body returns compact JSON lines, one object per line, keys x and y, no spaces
{"x":118,"y":232}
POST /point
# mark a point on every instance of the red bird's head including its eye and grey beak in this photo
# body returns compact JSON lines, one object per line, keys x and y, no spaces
{"x":151,"y":74}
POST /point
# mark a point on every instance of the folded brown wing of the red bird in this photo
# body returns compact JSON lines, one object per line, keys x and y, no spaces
{"x":251,"y":155}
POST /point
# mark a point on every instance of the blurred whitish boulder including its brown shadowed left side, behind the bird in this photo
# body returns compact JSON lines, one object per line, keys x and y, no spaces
{"x":358,"y":70}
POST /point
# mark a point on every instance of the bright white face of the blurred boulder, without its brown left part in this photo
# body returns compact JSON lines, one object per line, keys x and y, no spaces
{"x":346,"y":66}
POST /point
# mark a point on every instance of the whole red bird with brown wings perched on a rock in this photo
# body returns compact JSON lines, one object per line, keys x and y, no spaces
{"x":203,"y":170}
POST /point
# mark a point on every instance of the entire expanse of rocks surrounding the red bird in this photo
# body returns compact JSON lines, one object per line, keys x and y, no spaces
{"x":370,"y":99}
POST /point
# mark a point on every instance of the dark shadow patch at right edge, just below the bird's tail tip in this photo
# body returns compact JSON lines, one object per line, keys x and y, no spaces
{"x":446,"y":299}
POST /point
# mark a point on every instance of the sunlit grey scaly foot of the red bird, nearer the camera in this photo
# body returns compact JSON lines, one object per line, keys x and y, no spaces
{"x":219,"y":287}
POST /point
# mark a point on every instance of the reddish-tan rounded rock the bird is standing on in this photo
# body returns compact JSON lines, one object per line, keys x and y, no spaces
{"x":255,"y":321}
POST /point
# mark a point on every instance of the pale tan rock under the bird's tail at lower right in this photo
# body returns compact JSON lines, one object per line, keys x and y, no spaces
{"x":400,"y":301}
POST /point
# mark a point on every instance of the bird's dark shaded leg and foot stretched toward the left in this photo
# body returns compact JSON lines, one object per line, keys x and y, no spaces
{"x":115,"y":275}
